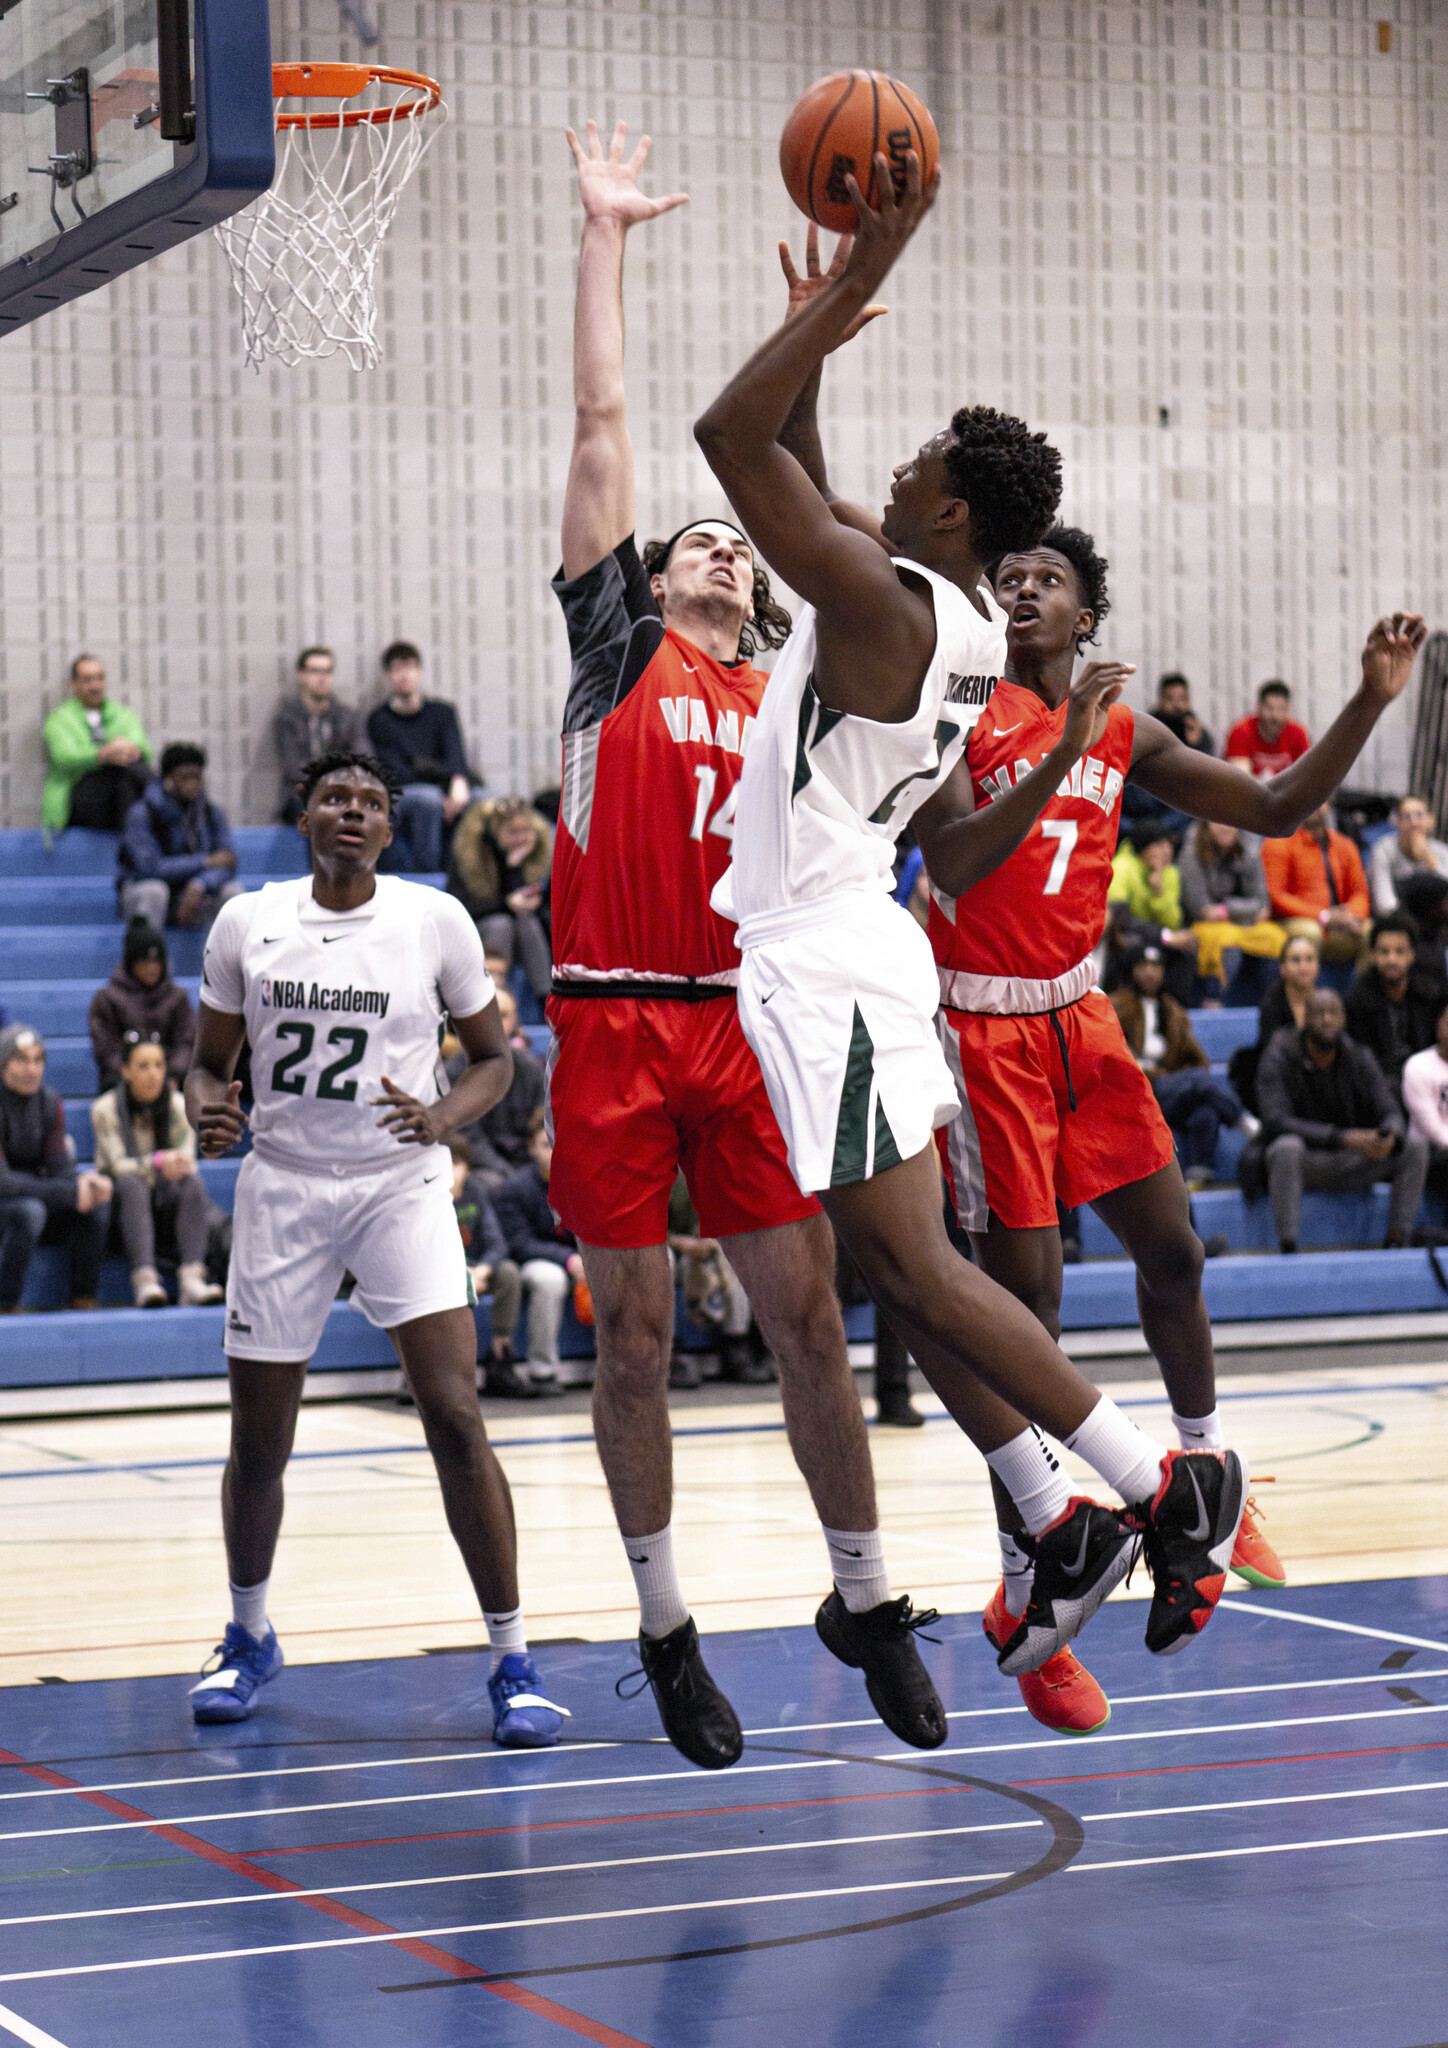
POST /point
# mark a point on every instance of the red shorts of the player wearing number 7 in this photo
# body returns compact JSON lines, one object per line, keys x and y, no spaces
{"x":1019,"y":1146}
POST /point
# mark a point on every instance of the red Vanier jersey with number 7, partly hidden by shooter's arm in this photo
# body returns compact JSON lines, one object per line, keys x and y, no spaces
{"x":1021,"y":941}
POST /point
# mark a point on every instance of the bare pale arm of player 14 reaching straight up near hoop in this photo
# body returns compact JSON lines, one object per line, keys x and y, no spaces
{"x":599,"y":499}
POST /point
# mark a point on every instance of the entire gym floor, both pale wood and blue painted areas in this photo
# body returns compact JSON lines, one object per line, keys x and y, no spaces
{"x":1265,"y":1818}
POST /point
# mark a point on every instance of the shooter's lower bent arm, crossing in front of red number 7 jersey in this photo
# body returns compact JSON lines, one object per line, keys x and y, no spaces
{"x":964,"y":845}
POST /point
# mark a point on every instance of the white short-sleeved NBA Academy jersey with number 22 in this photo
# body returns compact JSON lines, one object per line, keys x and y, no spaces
{"x":337,"y":1000}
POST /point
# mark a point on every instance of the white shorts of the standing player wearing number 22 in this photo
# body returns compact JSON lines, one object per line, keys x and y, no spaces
{"x":294,"y":1236}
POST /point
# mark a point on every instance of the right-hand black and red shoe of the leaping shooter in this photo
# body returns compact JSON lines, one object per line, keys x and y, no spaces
{"x":1189,"y":1533}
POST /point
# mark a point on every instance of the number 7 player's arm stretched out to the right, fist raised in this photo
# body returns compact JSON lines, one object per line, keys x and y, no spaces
{"x":1205,"y":787}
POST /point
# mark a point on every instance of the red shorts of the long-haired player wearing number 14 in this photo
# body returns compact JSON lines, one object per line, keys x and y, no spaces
{"x":638,"y":1091}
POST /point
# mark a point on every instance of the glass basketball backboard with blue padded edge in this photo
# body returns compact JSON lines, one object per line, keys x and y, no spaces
{"x":124,"y":128}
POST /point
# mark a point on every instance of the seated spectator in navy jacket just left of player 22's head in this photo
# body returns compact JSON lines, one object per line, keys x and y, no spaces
{"x":177,"y":863}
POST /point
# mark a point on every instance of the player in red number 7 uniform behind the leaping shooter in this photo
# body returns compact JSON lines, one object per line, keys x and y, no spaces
{"x":1054,"y":1105}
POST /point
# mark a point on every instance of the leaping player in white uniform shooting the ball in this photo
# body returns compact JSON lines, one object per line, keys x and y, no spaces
{"x":863,"y":722}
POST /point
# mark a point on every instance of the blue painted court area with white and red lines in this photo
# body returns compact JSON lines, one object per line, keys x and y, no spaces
{"x":1250,"y":1857}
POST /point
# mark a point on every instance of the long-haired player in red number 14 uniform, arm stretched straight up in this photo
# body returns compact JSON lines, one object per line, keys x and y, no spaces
{"x":650,"y":1068}
